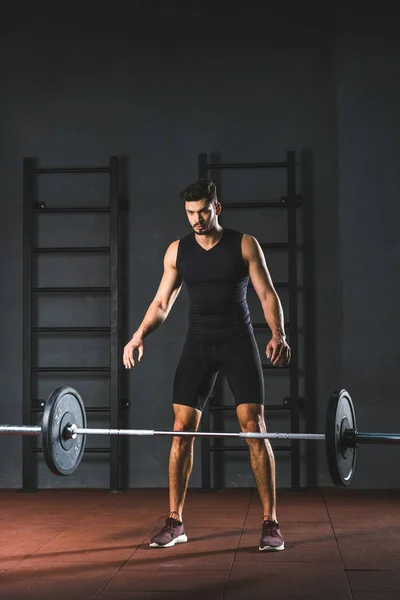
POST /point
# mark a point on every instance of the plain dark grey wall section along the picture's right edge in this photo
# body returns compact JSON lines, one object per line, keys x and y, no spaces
{"x":368,"y":99}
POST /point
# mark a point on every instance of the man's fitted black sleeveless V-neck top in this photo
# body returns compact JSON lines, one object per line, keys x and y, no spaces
{"x":216,"y":282}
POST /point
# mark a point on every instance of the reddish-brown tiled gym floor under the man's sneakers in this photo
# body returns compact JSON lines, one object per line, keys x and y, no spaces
{"x":341,"y":544}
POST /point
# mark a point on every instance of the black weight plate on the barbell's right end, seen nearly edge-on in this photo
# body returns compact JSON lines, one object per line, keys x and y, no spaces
{"x":341,"y":458}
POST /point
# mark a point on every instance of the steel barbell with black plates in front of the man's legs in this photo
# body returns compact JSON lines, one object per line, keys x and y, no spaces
{"x":64,"y":430}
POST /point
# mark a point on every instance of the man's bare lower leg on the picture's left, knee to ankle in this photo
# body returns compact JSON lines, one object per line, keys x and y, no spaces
{"x":181,"y":457}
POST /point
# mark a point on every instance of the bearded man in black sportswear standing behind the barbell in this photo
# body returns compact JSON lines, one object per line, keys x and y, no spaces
{"x":216,"y":265}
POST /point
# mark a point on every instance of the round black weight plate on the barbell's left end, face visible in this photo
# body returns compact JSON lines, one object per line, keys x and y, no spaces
{"x":64,"y":406}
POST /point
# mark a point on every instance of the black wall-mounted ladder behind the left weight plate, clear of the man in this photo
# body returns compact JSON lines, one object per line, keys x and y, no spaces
{"x":33,"y":209}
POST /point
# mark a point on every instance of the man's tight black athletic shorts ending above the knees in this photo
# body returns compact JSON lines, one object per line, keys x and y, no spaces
{"x":237,"y":358}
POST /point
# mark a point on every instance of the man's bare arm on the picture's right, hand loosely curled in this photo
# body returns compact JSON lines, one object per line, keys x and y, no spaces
{"x":277,"y":350}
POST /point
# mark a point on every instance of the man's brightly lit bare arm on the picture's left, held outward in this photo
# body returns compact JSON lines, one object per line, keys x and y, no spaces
{"x":168,"y":290}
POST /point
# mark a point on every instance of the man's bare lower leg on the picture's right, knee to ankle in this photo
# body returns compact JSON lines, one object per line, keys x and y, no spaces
{"x":251,"y":418}
